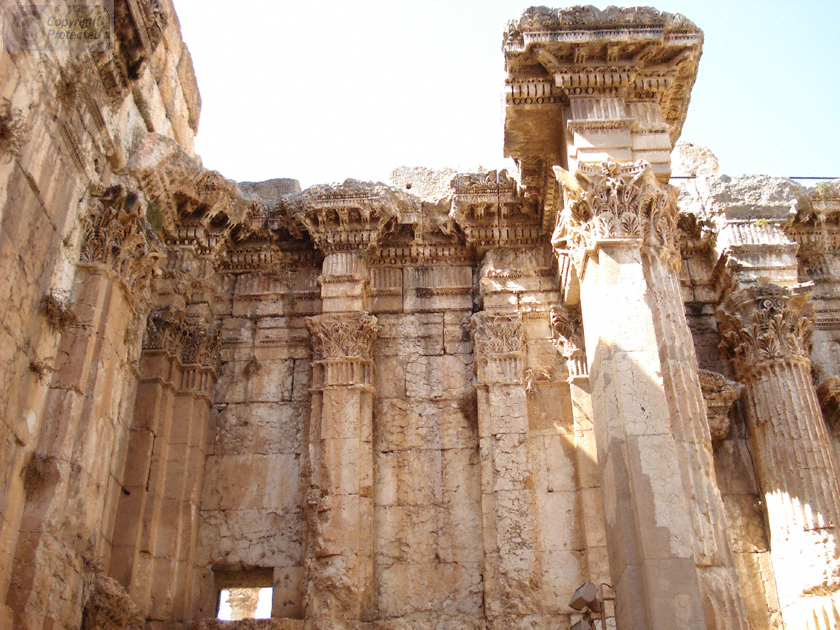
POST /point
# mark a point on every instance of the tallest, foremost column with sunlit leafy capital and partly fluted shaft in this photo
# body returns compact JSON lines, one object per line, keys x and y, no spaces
{"x":670,"y":562}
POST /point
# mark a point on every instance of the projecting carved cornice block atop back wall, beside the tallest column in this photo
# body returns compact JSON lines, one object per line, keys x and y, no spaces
{"x":490,"y":212}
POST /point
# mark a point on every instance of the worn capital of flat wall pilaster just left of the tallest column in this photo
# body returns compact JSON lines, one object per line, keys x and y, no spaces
{"x":499,"y":347}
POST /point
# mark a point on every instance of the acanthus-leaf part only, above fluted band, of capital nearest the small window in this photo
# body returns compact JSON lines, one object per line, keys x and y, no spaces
{"x":342,"y":337}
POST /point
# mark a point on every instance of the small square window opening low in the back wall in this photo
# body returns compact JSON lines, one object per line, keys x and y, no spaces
{"x":244,"y":594}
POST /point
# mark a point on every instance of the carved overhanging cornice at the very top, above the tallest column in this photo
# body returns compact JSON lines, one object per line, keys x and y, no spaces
{"x":638,"y":54}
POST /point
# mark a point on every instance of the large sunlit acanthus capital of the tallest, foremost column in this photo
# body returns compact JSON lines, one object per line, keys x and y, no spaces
{"x":613,"y":201}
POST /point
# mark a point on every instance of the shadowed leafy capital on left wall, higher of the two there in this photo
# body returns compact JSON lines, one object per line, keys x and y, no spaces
{"x":115,"y":235}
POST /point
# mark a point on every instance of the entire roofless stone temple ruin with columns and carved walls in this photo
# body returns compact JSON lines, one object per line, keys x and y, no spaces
{"x":438,"y":406}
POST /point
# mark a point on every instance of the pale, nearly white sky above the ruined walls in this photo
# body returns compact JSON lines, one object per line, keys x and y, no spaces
{"x":321,"y":91}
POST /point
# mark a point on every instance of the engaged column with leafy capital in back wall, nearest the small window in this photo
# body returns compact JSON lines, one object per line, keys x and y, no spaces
{"x":340,"y":497}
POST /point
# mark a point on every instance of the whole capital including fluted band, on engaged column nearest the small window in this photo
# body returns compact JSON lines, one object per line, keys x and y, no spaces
{"x":343,"y":348}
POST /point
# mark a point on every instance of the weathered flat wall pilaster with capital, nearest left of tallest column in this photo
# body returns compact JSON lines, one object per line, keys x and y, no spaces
{"x":512,"y":574}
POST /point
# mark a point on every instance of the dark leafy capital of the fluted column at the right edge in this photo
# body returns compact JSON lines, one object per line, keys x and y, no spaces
{"x":761,"y":325}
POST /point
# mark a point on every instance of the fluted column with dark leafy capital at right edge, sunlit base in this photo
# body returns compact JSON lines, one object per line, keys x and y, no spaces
{"x":767,"y":332}
